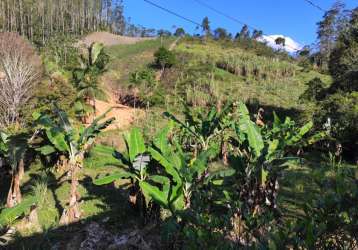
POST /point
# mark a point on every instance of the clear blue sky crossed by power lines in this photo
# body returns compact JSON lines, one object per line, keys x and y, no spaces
{"x":294,"y":18}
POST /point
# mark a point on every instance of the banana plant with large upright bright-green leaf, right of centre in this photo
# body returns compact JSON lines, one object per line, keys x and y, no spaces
{"x":258,"y":163}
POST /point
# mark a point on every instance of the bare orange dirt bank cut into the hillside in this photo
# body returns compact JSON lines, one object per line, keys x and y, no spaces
{"x":124,"y":115}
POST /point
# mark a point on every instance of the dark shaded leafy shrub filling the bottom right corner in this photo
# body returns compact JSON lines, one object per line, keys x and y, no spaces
{"x":329,"y":221}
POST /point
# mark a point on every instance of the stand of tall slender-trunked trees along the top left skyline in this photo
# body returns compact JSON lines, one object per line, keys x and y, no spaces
{"x":40,"y":19}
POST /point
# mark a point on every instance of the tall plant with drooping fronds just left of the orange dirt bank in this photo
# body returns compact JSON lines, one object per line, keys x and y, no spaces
{"x":92,"y":62}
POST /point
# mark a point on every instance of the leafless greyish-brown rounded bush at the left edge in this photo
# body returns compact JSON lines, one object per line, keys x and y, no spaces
{"x":23,"y":68}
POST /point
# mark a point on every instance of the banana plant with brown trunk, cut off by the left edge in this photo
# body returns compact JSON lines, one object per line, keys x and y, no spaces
{"x":13,"y":149}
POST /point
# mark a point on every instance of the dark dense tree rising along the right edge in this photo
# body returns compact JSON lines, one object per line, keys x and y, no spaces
{"x":337,"y":106}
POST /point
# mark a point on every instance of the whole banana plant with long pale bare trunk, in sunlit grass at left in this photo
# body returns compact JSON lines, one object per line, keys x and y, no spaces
{"x":72,"y":142}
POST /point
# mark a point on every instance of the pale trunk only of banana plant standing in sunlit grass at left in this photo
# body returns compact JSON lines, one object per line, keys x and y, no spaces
{"x":72,"y":213}
